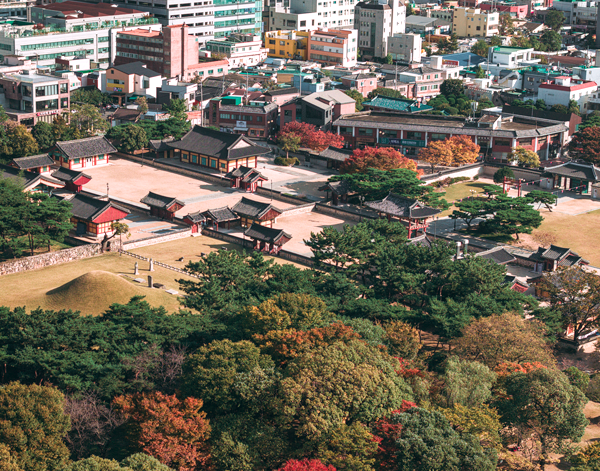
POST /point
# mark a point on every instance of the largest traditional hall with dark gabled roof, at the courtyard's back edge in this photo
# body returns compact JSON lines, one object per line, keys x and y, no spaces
{"x":217,"y":150}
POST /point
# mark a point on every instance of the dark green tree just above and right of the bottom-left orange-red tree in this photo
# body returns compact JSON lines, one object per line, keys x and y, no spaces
{"x":211,"y":372}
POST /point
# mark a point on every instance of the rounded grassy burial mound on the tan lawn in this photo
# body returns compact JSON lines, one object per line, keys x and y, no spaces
{"x":93,"y":292}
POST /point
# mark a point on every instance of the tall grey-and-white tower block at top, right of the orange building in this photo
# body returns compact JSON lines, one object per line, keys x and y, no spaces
{"x":376,"y":21}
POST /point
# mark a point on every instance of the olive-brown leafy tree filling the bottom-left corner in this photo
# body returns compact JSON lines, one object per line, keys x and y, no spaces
{"x":33,"y":425}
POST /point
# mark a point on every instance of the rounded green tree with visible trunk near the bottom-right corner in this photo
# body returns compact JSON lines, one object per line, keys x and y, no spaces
{"x":545,"y":410}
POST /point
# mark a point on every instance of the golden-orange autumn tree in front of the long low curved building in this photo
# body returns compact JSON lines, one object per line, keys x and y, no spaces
{"x":452,"y":152}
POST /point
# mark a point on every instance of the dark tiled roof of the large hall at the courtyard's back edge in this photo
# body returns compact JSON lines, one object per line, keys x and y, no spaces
{"x":218,"y":144}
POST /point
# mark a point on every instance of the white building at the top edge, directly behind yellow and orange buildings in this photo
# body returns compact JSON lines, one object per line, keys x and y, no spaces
{"x":308,"y":15}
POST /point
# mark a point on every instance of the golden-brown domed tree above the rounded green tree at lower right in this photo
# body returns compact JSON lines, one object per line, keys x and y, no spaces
{"x":504,"y":338}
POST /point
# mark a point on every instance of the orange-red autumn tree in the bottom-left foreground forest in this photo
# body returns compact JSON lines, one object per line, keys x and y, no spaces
{"x":174,"y":432}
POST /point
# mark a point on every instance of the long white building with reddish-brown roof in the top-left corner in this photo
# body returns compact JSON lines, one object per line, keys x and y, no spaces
{"x":90,"y":32}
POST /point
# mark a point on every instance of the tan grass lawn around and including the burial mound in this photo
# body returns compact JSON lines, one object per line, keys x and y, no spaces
{"x":91,"y":285}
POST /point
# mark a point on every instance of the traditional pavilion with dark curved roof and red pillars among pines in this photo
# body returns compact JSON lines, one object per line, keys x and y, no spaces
{"x":412,"y":213}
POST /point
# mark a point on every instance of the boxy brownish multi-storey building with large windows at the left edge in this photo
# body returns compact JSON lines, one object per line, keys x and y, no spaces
{"x":30,"y":98}
